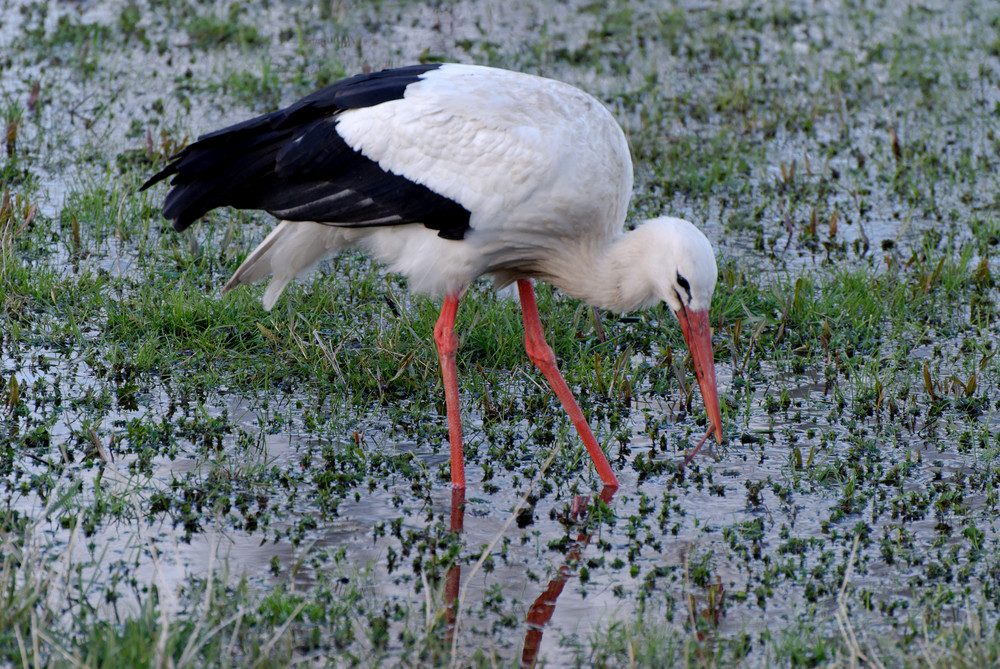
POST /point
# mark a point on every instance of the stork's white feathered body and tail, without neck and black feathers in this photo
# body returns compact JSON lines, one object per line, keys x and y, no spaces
{"x":542,"y":167}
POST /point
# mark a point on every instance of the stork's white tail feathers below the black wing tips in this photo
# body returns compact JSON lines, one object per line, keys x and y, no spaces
{"x":292,"y":249}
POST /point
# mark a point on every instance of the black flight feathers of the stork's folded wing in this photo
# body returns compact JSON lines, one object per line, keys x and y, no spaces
{"x":293,"y":164}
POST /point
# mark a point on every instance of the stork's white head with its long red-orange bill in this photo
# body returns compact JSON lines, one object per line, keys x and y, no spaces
{"x":685,"y":279}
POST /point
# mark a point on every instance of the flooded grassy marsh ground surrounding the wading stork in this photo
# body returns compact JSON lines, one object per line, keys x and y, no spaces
{"x":189,"y":480}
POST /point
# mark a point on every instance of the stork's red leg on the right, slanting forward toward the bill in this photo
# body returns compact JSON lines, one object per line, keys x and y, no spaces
{"x":543,"y":357}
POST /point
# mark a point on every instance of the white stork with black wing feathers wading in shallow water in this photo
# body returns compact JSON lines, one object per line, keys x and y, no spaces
{"x":445,"y":173}
